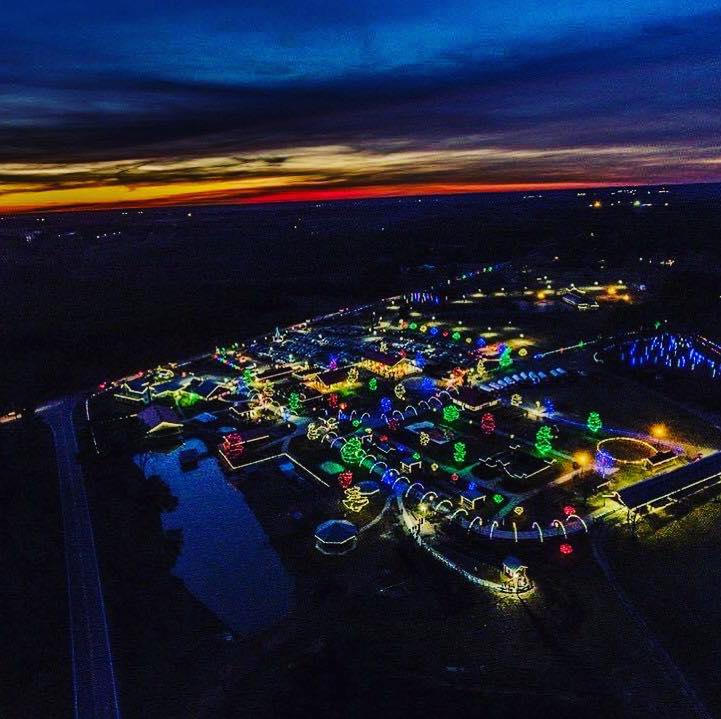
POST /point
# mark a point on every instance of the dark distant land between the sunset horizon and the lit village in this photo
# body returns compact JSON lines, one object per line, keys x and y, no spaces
{"x":91,"y":296}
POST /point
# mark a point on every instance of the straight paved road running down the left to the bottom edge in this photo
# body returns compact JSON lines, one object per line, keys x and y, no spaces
{"x":94,"y":690}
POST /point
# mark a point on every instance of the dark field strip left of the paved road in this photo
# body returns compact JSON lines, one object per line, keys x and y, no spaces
{"x":35,"y":670}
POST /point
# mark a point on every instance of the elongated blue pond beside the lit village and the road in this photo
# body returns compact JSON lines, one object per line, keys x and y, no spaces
{"x":226,"y":561}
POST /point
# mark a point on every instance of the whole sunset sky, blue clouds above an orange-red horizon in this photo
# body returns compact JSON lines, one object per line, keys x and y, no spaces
{"x":186,"y":102}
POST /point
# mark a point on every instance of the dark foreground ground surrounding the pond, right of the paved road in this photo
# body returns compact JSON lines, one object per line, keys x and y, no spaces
{"x":382,"y":632}
